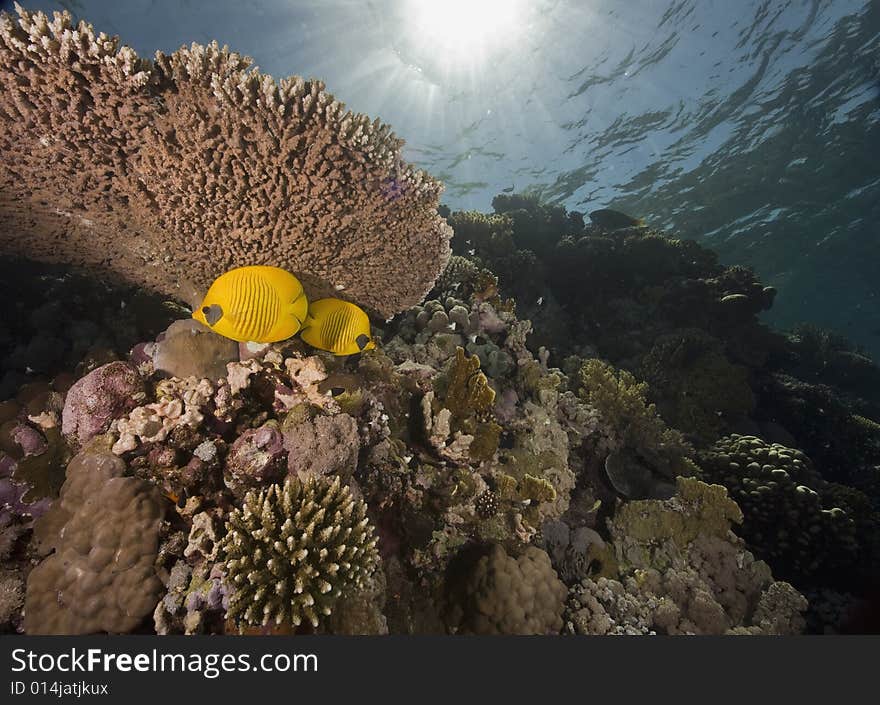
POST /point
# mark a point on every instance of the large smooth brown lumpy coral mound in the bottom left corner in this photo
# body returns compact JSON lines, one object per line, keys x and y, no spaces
{"x":101,"y":577}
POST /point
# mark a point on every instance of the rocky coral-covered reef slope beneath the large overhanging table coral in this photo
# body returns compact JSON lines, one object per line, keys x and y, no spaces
{"x":664,"y":469}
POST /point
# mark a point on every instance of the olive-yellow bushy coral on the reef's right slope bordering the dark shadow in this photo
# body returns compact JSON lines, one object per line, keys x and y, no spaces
{"x":638,"y":439}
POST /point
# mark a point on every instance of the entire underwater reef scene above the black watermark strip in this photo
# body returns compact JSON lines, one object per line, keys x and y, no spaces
{"x":418,"y":317}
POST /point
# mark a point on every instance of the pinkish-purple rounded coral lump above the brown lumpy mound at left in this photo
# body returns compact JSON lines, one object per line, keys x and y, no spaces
{"x":94,"y":401}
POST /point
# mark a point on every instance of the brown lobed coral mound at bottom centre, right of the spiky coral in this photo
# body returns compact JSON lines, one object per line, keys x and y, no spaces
{"x":501,"y":594}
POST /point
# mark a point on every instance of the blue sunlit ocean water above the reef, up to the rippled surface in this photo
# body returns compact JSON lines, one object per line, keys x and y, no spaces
{"x":751,"y":126}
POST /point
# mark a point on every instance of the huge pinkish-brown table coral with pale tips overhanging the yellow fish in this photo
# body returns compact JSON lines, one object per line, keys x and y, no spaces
{"x":173,"y":170}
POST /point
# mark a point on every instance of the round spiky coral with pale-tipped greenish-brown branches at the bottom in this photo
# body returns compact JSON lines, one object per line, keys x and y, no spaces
{"x":293,"y":550}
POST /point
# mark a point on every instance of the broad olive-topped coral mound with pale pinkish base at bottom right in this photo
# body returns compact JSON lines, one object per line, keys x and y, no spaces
{"x":675,"y":568}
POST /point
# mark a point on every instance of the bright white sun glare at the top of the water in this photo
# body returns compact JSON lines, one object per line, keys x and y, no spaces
{"x":465,"y":30}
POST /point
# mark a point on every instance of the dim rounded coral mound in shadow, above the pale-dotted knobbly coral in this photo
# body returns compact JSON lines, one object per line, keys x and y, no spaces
{"x":694,"y":385}
